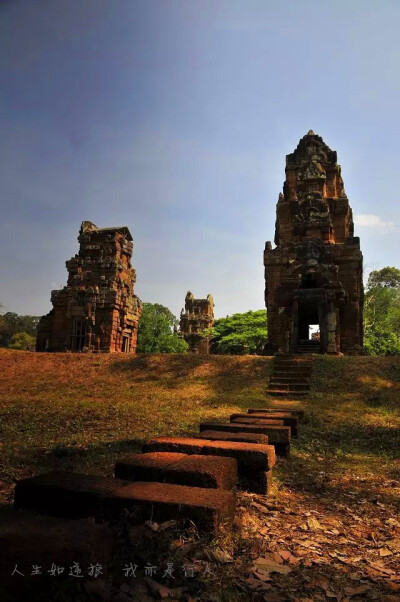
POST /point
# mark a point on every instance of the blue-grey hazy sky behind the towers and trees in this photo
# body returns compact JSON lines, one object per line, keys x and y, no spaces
{"x":174,"y":117}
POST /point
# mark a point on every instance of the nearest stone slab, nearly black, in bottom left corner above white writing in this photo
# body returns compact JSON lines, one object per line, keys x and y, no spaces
{"x":43,"y":540}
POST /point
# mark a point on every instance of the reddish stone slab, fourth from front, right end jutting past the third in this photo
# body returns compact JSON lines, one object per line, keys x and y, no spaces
{"x":255,"y":460}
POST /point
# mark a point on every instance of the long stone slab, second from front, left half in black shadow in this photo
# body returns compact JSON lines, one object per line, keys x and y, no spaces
{"x":70,"y":494}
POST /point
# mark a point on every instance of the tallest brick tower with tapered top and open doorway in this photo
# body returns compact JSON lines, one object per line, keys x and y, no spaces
{"x":314,"y":274}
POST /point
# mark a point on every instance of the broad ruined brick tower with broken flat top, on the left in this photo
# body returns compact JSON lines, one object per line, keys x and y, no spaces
{"x":97,"y":310}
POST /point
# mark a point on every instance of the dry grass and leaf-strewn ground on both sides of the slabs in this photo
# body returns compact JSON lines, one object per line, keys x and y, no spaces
{"x":332,"y":525}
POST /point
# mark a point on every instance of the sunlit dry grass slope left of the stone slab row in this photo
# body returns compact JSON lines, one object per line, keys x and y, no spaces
{"x":82,"y":411}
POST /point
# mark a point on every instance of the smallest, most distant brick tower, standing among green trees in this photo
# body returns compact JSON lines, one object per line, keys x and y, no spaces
{"x":198,"y":315}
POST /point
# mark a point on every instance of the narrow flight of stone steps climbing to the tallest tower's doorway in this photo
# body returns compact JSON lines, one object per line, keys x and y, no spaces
{"x":290,"y":376}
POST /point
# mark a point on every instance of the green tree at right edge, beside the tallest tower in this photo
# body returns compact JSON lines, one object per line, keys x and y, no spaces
{"x":382,"y":312}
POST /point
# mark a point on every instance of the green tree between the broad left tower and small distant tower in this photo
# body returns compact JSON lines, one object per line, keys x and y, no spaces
{"x":156,"y":331}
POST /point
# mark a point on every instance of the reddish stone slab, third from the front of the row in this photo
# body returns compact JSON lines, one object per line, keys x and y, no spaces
{"x":182,"y":469}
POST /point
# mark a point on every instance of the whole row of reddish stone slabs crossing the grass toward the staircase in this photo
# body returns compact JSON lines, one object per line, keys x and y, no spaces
{"x":192,"y":478}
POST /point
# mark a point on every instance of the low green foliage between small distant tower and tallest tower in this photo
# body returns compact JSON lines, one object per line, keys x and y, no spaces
{"x":239,"y":334}
